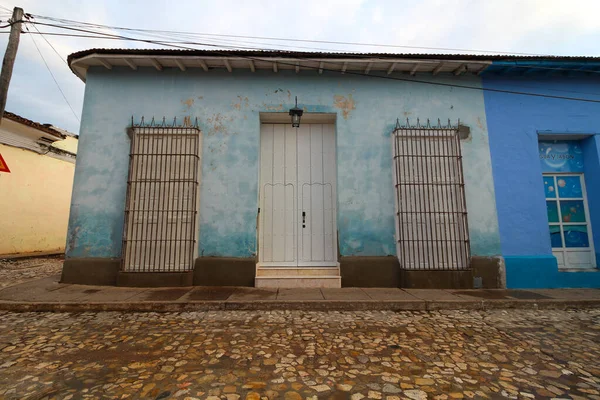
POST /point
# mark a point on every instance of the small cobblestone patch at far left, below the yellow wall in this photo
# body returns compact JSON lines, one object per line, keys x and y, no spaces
{"x":15,"y":271}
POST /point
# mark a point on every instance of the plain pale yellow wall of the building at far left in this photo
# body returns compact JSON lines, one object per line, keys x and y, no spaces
{"x":34,"y":202}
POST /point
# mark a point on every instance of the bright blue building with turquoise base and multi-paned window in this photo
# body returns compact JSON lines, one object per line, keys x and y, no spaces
{"x":545,"y":158}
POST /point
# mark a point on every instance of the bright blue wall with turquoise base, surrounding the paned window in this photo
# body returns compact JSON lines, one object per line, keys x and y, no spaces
{"x":514,"y":123}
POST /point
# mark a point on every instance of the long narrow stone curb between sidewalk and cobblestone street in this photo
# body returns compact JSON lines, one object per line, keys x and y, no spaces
{"x":300,"y":305}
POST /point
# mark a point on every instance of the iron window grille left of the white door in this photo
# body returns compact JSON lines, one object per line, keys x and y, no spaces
{"x":162,"y":198}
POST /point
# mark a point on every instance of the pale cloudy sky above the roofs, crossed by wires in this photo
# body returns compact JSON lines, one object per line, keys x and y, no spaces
{"x":557,"y":27}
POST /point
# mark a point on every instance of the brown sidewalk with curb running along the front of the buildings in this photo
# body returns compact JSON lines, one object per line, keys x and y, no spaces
{"x":49,"y":295}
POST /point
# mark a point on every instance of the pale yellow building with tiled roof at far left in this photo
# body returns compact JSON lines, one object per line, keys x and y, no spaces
{"x":36,"y":179}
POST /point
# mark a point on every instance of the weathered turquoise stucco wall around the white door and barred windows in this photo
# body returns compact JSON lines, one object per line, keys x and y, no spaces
{"x":227,"y":106}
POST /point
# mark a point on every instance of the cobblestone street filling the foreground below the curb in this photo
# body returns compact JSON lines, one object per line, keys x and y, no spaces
{"x":301,"y":355}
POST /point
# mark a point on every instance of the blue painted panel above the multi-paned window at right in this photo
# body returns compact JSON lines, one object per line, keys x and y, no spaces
{"x":561,"y":156}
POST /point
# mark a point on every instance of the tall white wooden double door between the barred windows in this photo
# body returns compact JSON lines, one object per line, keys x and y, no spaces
{"x":297,"y":220}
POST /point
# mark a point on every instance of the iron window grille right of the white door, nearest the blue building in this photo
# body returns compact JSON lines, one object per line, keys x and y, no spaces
{"x":431,"y":215}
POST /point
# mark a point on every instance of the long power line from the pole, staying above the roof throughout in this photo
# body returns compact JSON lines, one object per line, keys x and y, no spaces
{"x":62,"y":20}
